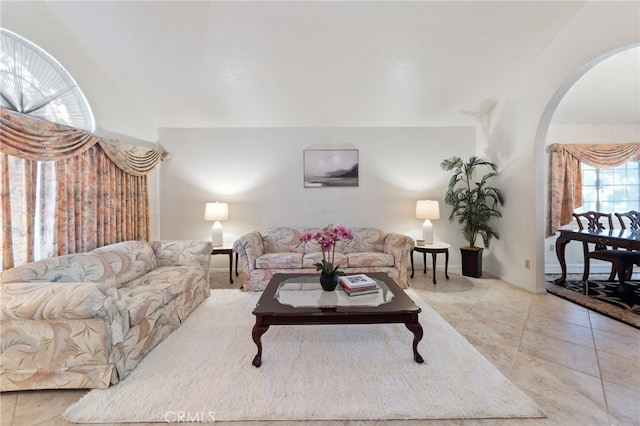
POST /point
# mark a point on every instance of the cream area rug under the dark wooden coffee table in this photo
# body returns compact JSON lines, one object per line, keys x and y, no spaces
{"x":202,"y":372}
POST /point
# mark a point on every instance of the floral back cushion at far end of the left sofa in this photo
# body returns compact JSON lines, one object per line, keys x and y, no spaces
{"x":129,"y":259}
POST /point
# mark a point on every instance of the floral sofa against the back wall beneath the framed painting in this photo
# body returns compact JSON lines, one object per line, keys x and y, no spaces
{"x":279,"y":250}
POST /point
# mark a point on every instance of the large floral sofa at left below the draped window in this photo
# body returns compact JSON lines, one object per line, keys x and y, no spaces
{"x":86,"y":320}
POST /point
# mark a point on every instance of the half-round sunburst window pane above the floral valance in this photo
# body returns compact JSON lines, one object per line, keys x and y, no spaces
{"x":32,"y":82}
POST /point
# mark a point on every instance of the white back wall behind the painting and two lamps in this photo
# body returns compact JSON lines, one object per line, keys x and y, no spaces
{"x":259,"y":172}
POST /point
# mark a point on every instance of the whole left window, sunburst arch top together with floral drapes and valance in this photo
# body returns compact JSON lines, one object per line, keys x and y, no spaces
{"x":63,"y":189}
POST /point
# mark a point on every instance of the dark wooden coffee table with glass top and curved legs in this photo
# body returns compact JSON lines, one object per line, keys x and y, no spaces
{"x":298,"y":299}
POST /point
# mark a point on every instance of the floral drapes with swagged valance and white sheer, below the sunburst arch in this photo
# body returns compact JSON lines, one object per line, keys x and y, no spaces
{"x":81,"y":190}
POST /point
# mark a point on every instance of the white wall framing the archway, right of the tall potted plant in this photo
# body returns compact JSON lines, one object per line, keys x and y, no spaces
{"x":519,"y":127}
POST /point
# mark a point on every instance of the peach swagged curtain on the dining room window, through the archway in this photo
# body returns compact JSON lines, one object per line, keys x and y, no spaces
{"x":565,"y":178}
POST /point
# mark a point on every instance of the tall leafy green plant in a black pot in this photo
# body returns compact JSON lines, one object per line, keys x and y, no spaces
{"x":473,"y":203}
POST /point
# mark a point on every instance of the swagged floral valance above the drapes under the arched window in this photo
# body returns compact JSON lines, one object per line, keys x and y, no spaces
{"x":27,"y":137}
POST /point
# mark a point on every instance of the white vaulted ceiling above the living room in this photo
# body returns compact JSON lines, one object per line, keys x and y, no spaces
{"x":234,"y":64}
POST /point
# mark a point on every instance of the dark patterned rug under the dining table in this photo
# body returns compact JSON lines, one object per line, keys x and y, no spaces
{"x":603,"y":297}
